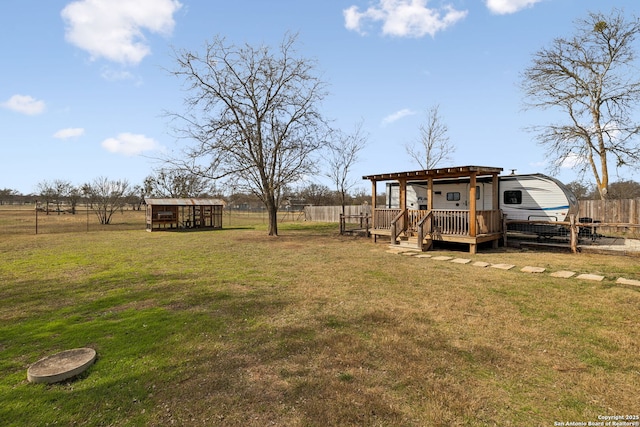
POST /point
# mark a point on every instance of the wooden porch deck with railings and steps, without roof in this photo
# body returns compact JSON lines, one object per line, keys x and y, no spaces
{"x":420,"y":228}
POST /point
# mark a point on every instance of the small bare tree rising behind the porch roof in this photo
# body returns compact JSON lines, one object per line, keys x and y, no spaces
{"x":433,"y":146}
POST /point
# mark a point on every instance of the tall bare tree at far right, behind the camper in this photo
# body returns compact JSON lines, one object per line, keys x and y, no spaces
{"x":591,"y":77}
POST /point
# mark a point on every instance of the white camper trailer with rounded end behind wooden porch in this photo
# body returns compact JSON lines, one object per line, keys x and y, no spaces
{"x":533,"y":197}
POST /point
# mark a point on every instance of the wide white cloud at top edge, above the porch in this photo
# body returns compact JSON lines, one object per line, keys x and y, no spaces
{"x":403,"y":18}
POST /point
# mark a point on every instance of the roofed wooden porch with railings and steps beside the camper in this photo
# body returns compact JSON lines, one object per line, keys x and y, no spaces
{"x":420,"y":228}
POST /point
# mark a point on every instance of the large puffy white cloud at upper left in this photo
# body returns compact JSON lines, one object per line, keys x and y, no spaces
{"x":114,"y":29}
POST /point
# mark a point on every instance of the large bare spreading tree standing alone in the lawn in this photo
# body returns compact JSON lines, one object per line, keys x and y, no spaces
{"x":251,"y":117}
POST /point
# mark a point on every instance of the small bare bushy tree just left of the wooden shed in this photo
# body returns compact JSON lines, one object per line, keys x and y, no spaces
{"x":106,"y":196}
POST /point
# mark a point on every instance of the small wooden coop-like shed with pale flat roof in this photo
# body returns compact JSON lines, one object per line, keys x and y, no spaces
{"x":185,"y":213}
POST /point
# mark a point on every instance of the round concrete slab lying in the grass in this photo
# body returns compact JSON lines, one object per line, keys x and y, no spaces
{"x":61,"y":366}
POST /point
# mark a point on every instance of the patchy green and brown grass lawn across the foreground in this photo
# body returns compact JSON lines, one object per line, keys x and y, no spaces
{"x":232,"y":327}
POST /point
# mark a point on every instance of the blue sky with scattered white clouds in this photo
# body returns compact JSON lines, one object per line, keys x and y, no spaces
{"x":86,"y":84}
